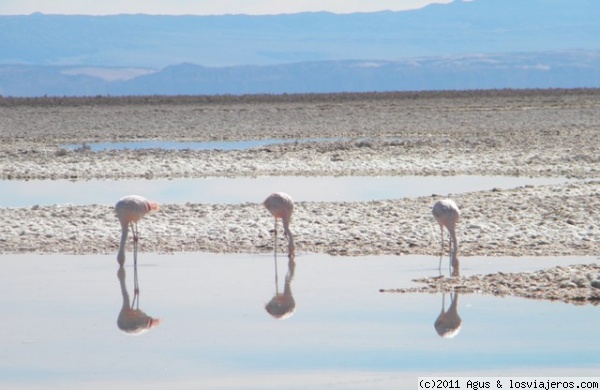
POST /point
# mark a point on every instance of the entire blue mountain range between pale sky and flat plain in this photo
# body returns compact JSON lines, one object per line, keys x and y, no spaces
{"x":461,"y":45}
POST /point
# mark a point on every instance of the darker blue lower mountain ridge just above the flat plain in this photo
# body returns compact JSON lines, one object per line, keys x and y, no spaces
{"x":564,"y":69}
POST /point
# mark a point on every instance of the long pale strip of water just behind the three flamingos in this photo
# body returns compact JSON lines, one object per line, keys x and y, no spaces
{"x":239,"y":190}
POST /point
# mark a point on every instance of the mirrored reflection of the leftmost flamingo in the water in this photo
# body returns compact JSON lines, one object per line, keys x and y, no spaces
{"x":131,"y":319}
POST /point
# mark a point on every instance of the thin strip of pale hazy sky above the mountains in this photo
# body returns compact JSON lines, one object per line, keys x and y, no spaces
{"x":204,"y":7}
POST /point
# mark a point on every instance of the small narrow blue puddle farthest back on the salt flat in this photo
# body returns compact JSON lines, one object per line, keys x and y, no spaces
{"x":191,"y":145}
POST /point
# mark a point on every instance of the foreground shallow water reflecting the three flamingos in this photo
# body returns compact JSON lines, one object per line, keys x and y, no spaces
{"x":60,"y":330}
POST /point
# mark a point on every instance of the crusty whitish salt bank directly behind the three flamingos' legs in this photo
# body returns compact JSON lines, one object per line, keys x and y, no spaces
{"x":549,"y":220}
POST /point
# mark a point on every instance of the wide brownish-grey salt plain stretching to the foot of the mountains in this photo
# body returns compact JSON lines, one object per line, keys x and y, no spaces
{"x":550,"y":133}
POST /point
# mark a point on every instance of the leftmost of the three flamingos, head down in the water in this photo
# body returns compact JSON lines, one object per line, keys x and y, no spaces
{"x":129,"y":210}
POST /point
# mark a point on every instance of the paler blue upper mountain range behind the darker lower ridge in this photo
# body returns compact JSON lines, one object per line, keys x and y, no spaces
{"x":458,"y":28}
